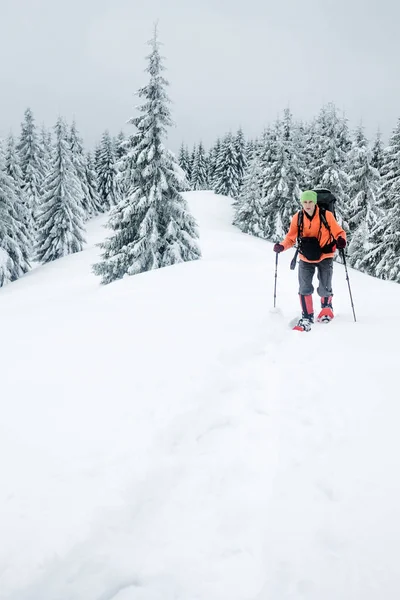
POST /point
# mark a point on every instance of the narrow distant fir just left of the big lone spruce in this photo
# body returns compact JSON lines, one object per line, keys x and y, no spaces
{"x":107,"y":171}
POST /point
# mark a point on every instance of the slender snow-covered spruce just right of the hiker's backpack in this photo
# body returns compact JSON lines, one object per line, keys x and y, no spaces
{"x":365,"y":184}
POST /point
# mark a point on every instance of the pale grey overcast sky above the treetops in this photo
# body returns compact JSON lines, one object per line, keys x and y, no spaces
{"x":230,"y":63}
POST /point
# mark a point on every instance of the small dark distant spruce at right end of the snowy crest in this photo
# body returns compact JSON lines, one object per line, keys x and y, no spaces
{"x":226,"y":179}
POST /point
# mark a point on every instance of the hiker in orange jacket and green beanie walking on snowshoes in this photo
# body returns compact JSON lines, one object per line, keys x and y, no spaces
{"x":318,"y":240}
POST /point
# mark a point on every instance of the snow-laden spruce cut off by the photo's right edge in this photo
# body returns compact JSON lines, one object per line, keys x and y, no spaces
{"x":383,"y":256}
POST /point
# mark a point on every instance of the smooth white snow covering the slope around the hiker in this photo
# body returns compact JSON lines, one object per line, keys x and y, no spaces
{"x":168,"y":437}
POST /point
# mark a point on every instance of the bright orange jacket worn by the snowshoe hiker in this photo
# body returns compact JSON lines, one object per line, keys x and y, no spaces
{"x":311,"y":229}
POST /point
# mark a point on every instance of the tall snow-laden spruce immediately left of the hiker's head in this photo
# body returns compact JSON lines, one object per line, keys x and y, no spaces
{"x":281,"y":186}
